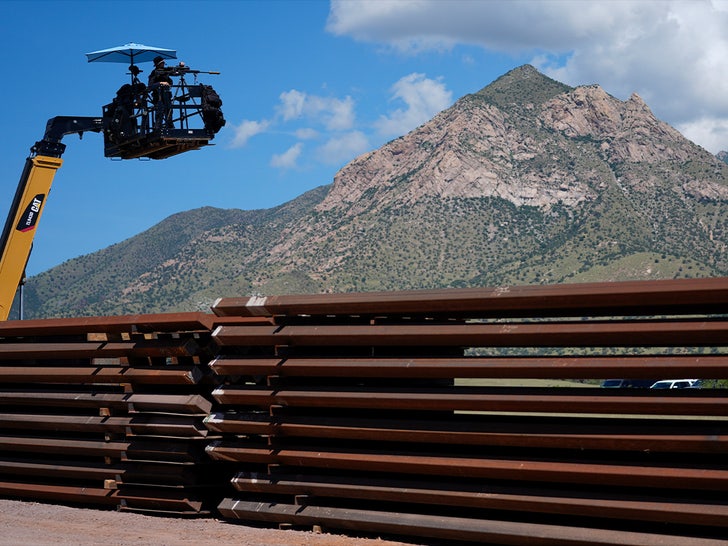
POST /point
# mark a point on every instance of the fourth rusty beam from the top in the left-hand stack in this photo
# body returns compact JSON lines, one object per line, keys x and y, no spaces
{"x":183,"y":403}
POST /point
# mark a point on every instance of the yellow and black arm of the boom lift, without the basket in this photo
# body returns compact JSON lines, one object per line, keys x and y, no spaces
{"x":30,"y":197}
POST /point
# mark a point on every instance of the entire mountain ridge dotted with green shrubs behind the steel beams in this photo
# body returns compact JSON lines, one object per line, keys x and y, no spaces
{"x":526,"y":181}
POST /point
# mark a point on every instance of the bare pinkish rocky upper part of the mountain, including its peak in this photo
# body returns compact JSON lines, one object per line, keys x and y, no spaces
{"x":499,"y":141}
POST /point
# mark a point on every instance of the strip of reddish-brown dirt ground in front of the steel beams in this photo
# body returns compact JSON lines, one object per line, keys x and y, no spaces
{"x":36,"y":524}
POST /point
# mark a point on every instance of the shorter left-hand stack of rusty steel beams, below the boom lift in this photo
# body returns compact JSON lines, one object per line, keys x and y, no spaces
{"x":107,"y":411}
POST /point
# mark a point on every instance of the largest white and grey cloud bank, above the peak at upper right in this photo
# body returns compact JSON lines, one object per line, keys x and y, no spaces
{"x":671,"y":52}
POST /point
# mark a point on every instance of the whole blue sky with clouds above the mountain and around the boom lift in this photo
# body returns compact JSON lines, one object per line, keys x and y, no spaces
{"x":308,"y":85}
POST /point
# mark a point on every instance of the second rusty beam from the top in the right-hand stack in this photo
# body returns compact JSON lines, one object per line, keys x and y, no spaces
{"x":551,"y":334}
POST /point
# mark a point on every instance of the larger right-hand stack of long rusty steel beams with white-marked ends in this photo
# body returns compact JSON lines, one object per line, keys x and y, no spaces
{"x":414,"y":413}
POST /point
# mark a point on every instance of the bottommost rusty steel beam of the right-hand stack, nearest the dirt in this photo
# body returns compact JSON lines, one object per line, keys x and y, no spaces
{"x":483,"y":531}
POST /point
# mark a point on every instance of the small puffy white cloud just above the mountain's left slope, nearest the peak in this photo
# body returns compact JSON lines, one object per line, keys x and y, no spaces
{"x":423,"y":98}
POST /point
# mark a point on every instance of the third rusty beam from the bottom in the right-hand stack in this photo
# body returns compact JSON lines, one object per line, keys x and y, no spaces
{"x":518,"y":470}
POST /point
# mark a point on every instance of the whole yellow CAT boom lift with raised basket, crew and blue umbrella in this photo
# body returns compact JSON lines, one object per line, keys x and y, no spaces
{"x":140,"y":122}
